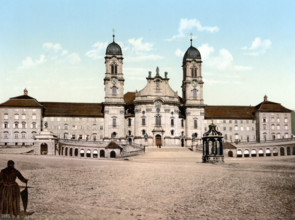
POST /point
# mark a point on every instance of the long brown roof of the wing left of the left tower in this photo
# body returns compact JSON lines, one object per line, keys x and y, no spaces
{"x":72,"y":109}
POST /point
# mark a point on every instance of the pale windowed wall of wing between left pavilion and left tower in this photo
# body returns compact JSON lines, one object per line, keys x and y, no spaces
{"x":91,"y":128}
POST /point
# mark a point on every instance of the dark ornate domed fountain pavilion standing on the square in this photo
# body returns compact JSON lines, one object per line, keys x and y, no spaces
{"x":212,"y":145}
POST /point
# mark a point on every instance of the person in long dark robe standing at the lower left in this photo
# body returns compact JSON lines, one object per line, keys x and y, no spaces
{"x":10,"y":192}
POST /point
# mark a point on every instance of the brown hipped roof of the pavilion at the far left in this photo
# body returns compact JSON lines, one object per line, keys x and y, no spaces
{"x":22,"y":101}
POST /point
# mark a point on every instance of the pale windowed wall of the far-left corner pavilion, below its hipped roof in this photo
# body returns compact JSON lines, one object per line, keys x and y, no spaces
{"x":29,"y":124}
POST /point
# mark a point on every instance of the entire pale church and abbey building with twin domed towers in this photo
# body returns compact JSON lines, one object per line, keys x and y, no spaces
{"x":155,"y":115}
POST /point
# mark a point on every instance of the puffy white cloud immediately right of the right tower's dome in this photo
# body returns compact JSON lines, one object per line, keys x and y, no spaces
{"x":225,"y":61}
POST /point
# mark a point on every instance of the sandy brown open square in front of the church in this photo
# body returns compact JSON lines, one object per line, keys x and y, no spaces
{"x":161,"y":184}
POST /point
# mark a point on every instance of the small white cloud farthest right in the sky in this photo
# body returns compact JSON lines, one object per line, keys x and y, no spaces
{"x":258,"y":47}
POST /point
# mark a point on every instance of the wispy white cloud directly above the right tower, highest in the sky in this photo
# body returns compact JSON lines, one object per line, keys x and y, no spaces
{"x":188,"y":25}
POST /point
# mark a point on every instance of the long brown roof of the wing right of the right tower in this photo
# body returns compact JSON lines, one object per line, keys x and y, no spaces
{"x":230,"y":112}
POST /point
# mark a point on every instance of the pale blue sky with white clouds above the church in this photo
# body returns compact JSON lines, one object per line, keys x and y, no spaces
{"x":56,"y":49}
